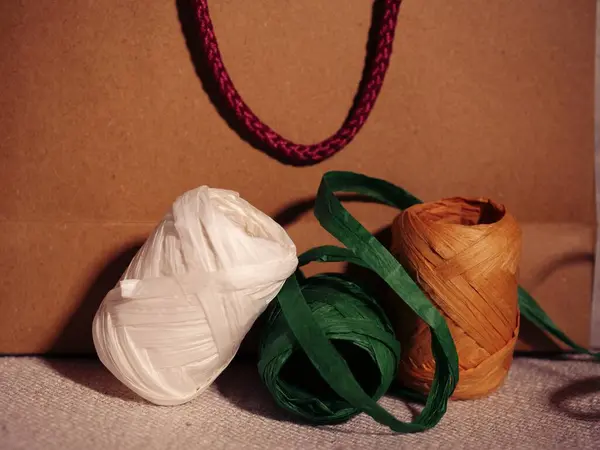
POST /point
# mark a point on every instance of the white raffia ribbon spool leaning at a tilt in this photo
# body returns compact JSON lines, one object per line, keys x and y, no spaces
{"x":181,"y":310}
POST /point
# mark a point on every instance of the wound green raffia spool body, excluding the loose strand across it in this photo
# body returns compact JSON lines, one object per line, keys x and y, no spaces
{"x":359,"y":331}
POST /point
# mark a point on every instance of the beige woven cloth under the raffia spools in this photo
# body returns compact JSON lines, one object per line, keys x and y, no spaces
{"x":77,"y":404}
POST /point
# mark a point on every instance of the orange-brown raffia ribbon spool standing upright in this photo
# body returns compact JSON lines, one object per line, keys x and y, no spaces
{"x":464,"y":253}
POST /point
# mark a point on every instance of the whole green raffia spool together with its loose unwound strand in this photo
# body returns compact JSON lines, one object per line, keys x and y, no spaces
{"x":300,"y":342}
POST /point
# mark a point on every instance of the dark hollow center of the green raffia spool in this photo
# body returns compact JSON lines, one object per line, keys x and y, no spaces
{"x":300,"y":373}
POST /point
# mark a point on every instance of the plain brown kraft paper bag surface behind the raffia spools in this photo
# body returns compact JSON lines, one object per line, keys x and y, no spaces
{"x":104,"y":121}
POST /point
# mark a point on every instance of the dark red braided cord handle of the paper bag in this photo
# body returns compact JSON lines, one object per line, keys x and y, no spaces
{"x":368,"y":91}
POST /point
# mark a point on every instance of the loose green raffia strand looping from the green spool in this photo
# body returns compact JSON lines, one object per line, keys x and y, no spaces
{"x":363,"y":249}
